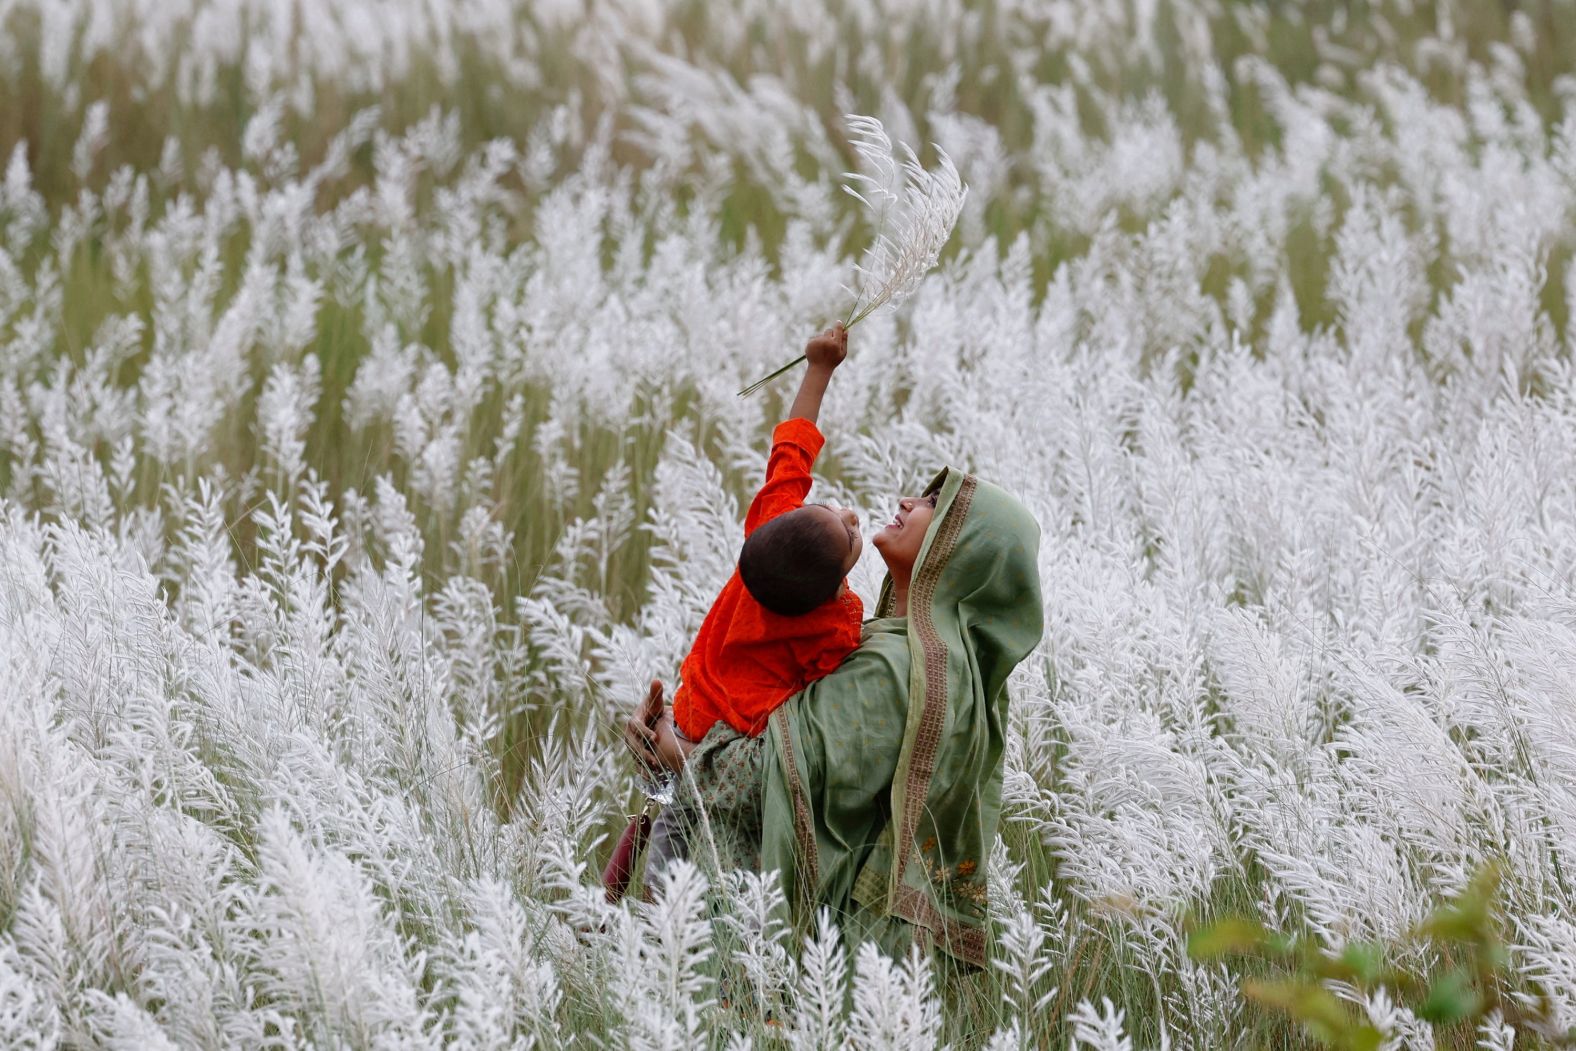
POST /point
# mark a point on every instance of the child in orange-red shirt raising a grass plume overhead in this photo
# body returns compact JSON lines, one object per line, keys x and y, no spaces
{"x":787,"y":615}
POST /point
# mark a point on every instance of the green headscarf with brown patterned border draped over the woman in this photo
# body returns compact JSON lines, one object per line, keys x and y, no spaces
{"x":885,"y":809}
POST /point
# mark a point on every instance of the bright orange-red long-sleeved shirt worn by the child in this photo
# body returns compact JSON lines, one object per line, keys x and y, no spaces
{"x":746,"y":659}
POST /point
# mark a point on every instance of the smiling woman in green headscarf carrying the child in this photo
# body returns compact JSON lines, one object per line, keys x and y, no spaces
{"x":877,"y":790}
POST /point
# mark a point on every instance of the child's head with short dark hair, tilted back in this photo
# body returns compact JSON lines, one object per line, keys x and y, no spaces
{"x":797,"y":562}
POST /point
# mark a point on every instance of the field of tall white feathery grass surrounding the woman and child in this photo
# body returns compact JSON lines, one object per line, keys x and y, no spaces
{"x":370,"y":439}
